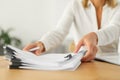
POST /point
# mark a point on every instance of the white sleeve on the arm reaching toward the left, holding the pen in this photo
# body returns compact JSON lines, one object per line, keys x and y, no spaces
{"x":56,"y":36}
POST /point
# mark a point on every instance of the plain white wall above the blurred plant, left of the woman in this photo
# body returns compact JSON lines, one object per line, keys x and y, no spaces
{"x":30,"y":18}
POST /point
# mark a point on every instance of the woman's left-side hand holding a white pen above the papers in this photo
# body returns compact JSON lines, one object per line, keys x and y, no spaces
{"x":34,"y":45}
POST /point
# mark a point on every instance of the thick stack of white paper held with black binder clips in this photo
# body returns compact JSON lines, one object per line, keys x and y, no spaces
{"x":52,"y":61}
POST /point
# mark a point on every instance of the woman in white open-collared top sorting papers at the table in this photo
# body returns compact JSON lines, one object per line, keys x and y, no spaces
{"x":96,"y":24}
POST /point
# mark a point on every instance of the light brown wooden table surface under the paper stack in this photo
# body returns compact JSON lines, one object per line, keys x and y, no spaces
{"x":94,"y":70}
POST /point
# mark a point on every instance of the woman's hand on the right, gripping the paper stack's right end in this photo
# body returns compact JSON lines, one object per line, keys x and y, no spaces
{"x":90,"y":41}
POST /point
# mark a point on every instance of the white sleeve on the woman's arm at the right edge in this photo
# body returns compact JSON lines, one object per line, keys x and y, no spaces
{"x":111,"y":31}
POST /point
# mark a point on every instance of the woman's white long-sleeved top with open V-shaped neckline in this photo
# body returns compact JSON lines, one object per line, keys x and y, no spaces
{"x":85,"y":21}
